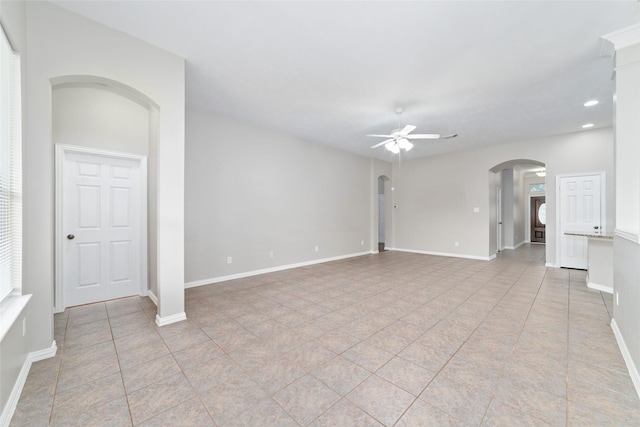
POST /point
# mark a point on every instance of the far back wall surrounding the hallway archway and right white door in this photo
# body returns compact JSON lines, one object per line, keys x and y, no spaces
{"x":436,"y":195}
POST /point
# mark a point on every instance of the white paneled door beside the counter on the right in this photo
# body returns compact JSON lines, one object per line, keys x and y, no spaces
{"x":580,"y":212}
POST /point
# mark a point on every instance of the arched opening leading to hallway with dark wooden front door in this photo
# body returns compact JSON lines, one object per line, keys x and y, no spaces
{"x":517,"y":204}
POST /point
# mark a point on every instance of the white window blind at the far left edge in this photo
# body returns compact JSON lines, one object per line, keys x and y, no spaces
{"x":10,"y":170}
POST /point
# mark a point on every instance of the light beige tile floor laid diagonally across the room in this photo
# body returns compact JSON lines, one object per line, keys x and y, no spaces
{"x":386,"y":339}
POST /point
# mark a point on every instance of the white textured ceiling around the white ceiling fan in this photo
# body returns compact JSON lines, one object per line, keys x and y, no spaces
{"x":331,"y":72}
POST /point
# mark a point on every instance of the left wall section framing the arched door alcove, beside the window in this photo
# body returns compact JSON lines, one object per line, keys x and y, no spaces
{"x":62,"y":44}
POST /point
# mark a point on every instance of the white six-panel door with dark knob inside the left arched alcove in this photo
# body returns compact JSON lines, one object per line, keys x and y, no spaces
{"x":100,"y":233}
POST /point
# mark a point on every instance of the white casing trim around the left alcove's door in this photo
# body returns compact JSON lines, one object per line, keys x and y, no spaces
{"x":61,"y":150}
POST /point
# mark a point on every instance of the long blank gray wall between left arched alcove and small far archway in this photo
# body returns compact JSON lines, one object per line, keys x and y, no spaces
{"x":250,"y":191}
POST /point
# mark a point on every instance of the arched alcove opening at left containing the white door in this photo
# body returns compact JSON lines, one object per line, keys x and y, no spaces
{"x":107,"y":129}
